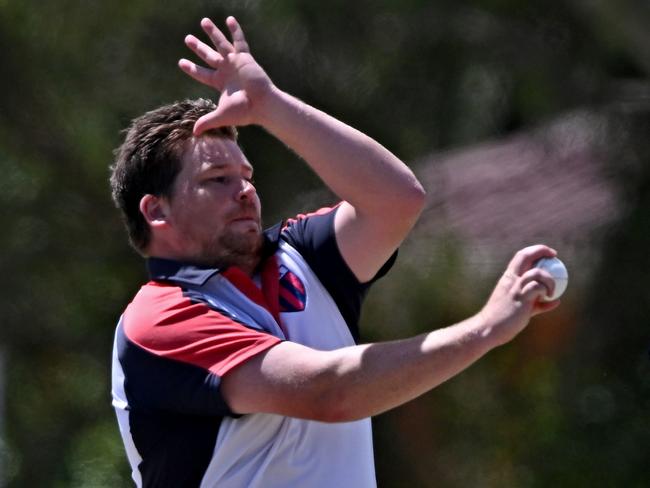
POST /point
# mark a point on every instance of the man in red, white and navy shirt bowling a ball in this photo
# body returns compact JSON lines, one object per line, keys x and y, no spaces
{"x":236,"y":365}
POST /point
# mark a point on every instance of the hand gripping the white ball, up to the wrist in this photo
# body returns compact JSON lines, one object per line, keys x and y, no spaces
{"x":517,"y":296}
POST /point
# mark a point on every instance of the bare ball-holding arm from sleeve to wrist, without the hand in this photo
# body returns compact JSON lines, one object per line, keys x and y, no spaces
{"x":359,"y":381}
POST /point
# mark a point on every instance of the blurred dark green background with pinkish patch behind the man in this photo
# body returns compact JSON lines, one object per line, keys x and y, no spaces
{"x":526,"y":121}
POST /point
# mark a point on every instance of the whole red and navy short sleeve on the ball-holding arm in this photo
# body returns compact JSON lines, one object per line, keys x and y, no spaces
{"x":175,"y":350}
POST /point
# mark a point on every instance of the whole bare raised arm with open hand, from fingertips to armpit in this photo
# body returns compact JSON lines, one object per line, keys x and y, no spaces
{"x":382,"y":198}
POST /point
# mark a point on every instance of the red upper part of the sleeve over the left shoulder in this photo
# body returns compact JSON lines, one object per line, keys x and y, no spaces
{"x":163,"y":321}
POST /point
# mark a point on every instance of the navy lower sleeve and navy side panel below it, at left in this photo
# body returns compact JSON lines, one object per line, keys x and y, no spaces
{"x":174,"y":431}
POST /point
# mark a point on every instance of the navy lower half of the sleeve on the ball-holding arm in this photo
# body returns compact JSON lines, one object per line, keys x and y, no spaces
{"x":153,"y":382}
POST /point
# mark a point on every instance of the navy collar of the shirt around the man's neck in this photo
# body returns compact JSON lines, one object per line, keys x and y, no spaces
{"x":161,"y":269}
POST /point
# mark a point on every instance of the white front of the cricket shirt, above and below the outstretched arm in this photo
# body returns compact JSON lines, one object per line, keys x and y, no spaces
{"x":269,"y":451}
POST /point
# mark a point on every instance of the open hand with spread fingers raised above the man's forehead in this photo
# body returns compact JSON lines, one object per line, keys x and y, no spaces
{"x":231,"y":70}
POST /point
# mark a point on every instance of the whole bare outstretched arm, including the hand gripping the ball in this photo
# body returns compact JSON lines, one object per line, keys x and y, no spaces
{"x":360,"y":381}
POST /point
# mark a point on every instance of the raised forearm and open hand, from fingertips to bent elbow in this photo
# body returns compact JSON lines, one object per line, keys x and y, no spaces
{"x":343,"y":157}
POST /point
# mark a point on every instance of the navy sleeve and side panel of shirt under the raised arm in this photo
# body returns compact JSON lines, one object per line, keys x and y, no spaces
{"x":314,"y":238}
